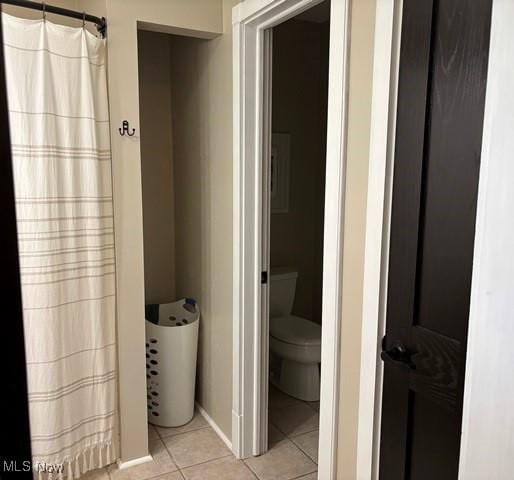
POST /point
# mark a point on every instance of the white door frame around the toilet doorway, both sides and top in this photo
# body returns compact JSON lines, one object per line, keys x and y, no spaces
{"x":250,"y":21}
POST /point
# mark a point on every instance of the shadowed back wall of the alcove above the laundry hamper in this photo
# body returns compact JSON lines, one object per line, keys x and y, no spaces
{"x":156,"y":166}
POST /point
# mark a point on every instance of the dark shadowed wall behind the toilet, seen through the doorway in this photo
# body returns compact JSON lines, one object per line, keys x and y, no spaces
{"x":300,"y":88}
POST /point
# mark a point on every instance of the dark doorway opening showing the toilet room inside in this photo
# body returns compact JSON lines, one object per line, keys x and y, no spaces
{"x":293,"y":226}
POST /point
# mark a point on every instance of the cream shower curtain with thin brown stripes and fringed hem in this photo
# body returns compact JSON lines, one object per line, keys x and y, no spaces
{"x":59,"y":121}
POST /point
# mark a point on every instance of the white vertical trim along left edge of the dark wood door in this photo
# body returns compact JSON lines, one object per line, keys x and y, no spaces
{"x":386,"y":63}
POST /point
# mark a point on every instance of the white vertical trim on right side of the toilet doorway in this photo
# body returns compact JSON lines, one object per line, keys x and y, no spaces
{"x":335,"y":186}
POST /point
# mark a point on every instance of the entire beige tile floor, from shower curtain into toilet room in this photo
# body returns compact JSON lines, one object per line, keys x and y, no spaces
{"x":195,"y":452}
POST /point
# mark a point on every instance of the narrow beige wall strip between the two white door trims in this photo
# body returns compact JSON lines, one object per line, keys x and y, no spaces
{"x":359,"y":118}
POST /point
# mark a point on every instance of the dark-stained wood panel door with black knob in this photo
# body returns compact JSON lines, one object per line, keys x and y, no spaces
{"x":442,"y":79}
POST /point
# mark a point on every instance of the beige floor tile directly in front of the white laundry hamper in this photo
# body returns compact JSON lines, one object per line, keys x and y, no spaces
{"x":195,"y":447}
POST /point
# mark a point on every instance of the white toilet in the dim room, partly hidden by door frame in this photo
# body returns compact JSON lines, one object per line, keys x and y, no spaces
{"x":295,"y":340}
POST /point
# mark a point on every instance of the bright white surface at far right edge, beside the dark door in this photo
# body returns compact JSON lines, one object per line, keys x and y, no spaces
{"x":487,"y":449}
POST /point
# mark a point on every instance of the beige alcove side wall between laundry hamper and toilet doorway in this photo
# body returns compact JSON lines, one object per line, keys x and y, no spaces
{"x":202,"y":126}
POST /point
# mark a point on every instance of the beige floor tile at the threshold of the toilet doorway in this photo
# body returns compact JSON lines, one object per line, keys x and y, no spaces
{"x":284,"y":461}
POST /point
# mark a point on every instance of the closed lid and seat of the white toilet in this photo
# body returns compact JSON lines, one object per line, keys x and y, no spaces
{"x":295,"y":330}
